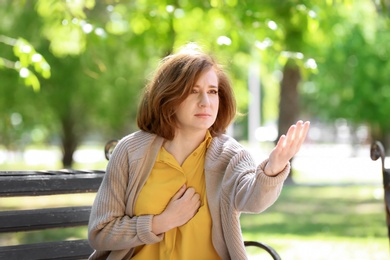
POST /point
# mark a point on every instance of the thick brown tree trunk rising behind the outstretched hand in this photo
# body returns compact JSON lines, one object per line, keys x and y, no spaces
{"x":289,"y":100}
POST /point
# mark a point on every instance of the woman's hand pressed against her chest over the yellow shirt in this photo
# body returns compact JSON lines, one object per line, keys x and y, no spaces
{"x":181,"y":208}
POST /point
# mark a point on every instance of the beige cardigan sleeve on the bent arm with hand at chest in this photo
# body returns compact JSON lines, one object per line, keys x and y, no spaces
{"x":110,"y":227}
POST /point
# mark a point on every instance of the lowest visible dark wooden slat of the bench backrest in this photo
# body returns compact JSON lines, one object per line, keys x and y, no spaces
{"x":74,"y":249}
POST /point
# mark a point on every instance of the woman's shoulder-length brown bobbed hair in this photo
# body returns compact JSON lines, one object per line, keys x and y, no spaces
{"x":170,"y":86}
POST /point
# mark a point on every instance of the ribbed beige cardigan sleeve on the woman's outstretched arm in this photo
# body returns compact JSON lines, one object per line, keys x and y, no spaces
{"x":242,"y":184}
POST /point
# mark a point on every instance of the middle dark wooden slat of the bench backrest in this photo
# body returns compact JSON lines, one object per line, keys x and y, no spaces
{"x":28,"y":220}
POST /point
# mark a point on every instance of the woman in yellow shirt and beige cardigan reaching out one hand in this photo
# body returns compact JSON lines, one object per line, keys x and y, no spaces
{"x":176,"y":188}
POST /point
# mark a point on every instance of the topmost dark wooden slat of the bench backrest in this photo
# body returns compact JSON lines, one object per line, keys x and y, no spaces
{"x":36,"y":183}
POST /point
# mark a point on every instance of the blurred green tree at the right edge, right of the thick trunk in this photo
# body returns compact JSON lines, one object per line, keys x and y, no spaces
{"x":353,"y":78}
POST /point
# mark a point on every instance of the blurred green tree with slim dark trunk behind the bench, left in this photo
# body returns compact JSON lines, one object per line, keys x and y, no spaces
{"x":78,"y":97}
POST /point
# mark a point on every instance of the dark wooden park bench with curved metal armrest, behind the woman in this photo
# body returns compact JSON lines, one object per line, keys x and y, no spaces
{"x":38,"y":183}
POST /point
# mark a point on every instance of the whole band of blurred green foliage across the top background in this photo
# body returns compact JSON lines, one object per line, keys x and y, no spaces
{"x":100,"y":54}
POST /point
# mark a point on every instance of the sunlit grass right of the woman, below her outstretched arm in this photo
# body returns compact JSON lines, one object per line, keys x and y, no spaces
{"x":329,"y":222}
